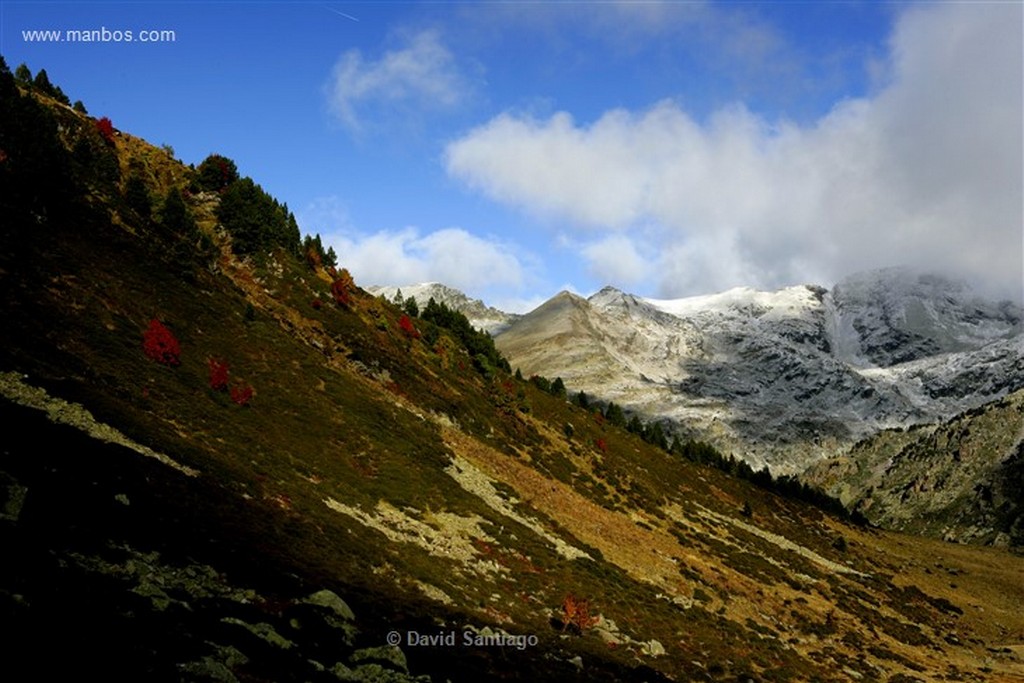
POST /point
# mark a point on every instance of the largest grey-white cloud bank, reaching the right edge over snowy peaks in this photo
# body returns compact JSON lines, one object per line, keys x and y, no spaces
{"x":927,"y":172}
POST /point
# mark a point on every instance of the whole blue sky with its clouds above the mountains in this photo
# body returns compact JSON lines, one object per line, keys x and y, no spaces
{"x":517,"y":149}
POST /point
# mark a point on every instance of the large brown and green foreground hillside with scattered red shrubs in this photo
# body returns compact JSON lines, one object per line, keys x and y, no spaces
{"x":380,"y":481}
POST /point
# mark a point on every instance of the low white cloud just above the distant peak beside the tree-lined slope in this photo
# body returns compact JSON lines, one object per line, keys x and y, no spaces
{"x":451,"y":255}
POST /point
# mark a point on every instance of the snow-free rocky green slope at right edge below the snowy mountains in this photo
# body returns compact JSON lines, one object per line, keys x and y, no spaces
{"x":960,"y":481}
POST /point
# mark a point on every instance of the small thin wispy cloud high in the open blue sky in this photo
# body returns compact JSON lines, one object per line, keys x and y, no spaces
{"x":420,"y":76}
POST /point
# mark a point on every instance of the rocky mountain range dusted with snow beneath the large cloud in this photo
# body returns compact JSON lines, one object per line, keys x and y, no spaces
{"x":782,"y":378}
